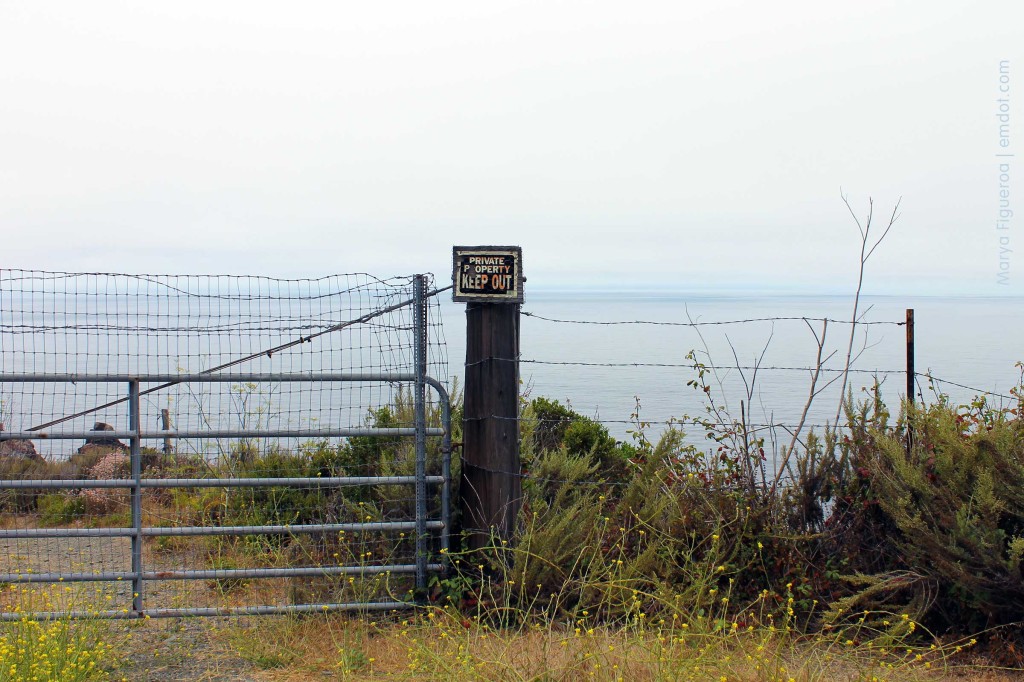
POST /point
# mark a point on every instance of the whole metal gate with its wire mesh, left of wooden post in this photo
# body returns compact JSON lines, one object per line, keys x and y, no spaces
{"x":245,"y":445}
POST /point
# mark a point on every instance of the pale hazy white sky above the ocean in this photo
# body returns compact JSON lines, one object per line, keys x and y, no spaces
{"x":682,"y":145}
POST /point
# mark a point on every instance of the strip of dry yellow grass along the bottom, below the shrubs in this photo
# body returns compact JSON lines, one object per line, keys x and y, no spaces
{"x":437,"y":646}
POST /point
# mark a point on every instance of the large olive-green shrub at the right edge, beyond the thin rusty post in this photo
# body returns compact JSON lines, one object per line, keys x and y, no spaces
{"x":953,"y":509}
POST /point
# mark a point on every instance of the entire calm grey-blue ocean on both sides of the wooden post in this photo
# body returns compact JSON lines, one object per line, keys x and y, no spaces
{"x":610,"y":356}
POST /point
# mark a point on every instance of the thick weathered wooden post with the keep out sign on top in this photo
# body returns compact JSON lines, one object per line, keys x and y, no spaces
{"x":490,"y":281}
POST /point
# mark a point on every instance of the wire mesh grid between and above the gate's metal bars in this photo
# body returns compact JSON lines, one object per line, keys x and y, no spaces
{"x":111,"y":324}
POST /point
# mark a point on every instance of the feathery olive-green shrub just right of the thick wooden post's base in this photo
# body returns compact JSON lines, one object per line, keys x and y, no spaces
{"x":667,"y":530}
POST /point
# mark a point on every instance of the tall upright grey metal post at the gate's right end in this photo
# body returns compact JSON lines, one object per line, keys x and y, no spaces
{"x":420,"y":352}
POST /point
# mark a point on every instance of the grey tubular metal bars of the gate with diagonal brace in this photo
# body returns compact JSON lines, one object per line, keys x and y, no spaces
{"x":429,"y":529}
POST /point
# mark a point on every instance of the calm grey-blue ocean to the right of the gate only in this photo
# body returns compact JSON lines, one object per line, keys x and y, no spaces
{"x":604,"y":371}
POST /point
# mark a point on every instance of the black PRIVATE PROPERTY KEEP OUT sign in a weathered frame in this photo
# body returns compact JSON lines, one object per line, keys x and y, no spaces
{"x":488,"y":274}
